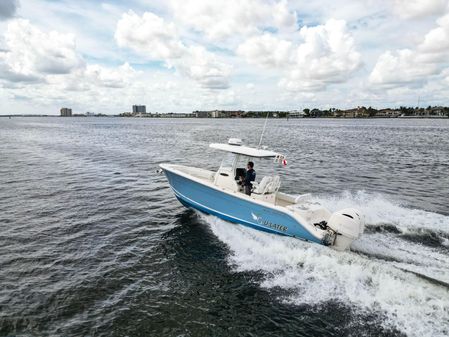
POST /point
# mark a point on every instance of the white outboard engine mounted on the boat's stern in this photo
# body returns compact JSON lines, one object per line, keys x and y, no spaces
{"x":348,"y":224}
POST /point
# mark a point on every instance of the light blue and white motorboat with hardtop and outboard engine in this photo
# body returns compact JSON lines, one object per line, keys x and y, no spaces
{"x":266,"y":208}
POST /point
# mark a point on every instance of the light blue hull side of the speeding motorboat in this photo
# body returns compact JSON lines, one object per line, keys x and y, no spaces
{"x":234,"y":209}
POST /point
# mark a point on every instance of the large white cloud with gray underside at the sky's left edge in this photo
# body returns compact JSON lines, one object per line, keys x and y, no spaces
{"x":46,"y":68}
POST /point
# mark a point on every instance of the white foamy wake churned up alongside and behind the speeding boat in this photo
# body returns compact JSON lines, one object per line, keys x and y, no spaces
{"x":394,"y":269}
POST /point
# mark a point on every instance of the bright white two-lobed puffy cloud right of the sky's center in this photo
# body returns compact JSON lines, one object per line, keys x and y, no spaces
{"x":326,"y":54}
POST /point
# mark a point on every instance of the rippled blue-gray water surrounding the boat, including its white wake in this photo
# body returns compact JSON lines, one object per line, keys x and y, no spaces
{"x":93,"y":242}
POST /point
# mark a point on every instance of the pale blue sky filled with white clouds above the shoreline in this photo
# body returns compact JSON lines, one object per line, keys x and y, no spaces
{"x":185,"y":55}
